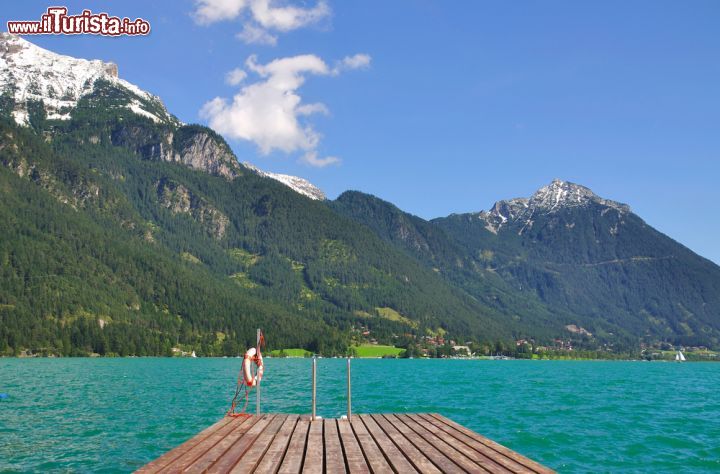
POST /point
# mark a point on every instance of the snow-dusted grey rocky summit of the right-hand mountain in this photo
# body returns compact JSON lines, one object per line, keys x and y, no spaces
{"x":552,"y":198}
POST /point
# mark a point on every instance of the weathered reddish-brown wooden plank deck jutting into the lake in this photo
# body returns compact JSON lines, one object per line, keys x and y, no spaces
{"x":427,"y":443}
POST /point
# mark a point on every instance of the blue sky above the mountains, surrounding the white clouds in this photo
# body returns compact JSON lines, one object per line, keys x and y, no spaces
{"x":462,"y":103}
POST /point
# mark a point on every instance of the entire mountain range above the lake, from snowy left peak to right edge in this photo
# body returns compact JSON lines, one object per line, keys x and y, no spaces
{"x":124,"y":231}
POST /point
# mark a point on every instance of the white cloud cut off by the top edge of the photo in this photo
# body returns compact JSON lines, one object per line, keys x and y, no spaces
{"x":260,"y":17}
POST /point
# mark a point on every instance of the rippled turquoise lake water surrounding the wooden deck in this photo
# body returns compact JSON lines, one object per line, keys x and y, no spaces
{"x":114,"y":415}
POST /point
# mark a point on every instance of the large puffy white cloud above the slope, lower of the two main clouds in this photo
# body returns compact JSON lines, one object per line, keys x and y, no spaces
{"x":270,"y":111}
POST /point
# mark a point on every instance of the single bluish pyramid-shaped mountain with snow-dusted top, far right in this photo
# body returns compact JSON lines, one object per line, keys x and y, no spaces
{"x":597,"y":259}
